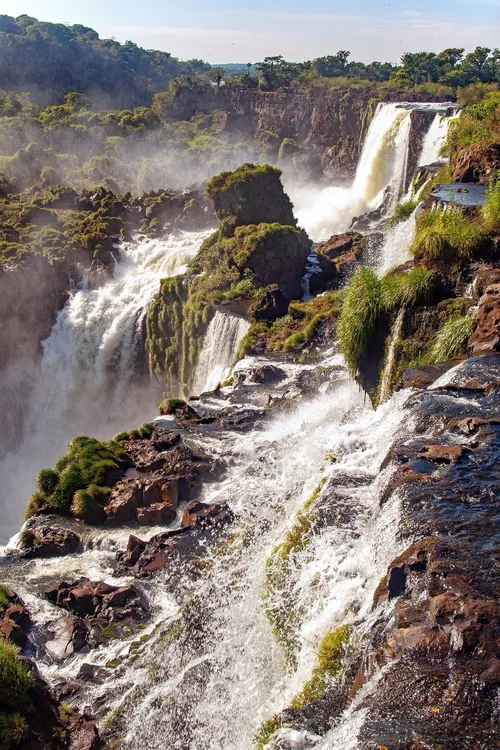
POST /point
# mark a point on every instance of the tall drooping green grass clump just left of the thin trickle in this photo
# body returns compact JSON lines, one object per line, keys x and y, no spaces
{"x":359,"y":314}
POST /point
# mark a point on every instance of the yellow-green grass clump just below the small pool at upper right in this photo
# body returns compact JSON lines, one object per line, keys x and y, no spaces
{"x":446,"y":234}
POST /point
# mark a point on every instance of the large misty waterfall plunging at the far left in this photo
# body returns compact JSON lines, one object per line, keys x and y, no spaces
{"x":87,"y":382}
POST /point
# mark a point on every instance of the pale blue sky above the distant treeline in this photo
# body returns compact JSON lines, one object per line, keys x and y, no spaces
{"x":234,"y":31}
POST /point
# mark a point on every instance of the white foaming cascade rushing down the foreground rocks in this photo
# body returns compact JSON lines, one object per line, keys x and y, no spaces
{"x":213,"y":690}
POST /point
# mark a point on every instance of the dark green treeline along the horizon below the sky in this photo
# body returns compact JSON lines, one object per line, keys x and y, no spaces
{"x":49,"y":60}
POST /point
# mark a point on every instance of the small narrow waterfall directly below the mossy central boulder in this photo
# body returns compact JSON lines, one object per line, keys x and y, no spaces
{"x":220,"y":347}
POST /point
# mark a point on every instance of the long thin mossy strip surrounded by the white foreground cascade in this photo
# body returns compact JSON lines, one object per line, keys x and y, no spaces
{"x":281,"y":606}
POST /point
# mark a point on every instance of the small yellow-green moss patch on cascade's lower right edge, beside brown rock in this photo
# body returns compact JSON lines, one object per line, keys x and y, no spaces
{"x":329,"y":665}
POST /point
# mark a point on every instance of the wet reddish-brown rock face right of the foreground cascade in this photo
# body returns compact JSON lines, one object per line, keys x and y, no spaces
{"x":441,"y":640}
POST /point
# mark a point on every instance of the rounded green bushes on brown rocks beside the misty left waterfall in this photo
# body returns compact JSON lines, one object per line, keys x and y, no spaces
{"x":79,"y":482}
